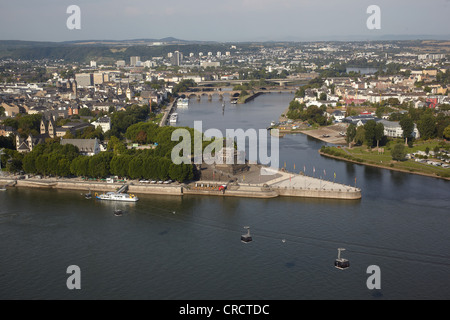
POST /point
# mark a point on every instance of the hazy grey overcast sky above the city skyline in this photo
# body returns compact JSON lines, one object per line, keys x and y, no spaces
{"x":220,"y":20}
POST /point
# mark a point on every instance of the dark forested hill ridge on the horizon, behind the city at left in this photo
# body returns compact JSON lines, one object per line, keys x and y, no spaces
{"x":100,"y":51}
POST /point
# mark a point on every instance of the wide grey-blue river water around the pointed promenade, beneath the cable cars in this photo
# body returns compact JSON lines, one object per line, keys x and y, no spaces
{"x":170,"y":247}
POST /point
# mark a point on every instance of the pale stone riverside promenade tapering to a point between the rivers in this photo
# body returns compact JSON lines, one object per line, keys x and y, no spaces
{"x":253,"y":185}
